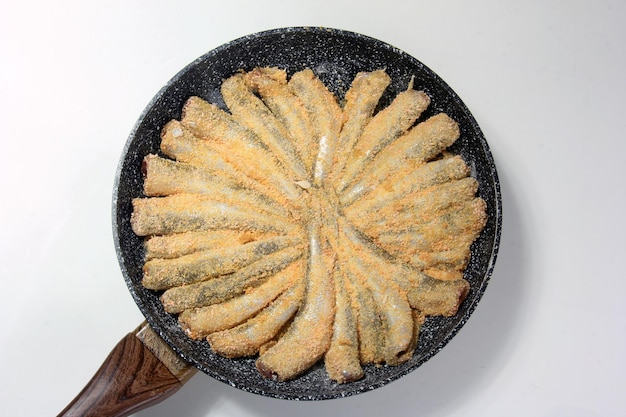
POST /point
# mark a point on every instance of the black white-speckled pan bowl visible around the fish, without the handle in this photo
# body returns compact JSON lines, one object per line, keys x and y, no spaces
{"x":336,"y":57}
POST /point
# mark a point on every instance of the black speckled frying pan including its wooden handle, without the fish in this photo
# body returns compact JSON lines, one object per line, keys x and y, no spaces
{"x":336,"y":56}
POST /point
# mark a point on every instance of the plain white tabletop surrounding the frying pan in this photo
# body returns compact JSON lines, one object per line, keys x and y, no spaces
{"x":544,"y":79}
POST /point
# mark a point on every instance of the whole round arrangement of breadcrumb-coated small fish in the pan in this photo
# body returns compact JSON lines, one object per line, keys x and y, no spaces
{"x":297,"y":228}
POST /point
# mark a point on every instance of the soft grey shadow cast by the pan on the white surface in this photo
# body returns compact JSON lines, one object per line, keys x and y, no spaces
{"x":467,"y":365}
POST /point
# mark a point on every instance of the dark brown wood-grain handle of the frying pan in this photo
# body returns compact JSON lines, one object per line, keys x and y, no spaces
{"x":139,"y":372}
